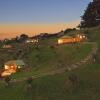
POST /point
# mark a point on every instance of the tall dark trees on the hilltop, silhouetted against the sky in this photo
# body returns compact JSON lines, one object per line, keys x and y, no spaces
{"x":91,"y":16}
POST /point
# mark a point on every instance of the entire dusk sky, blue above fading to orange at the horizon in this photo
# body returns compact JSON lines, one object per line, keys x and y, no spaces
{"x":38,"y":16}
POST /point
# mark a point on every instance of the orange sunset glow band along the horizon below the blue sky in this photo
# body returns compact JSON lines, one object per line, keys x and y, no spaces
{"x":12,"y":30}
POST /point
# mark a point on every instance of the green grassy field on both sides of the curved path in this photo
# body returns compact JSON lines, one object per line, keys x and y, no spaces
{"x":58,"y":86}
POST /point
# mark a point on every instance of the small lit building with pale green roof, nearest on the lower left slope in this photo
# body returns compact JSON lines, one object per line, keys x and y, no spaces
{"x":13,"y":65}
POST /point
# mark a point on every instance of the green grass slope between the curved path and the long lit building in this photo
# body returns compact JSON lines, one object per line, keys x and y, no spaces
{"x":48,"y":59}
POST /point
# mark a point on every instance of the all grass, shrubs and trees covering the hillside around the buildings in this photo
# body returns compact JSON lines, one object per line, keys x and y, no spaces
{"x":82,"y":83}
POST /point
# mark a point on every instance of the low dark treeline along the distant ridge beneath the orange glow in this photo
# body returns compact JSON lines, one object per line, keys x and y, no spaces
{"x":23,"y":37}
